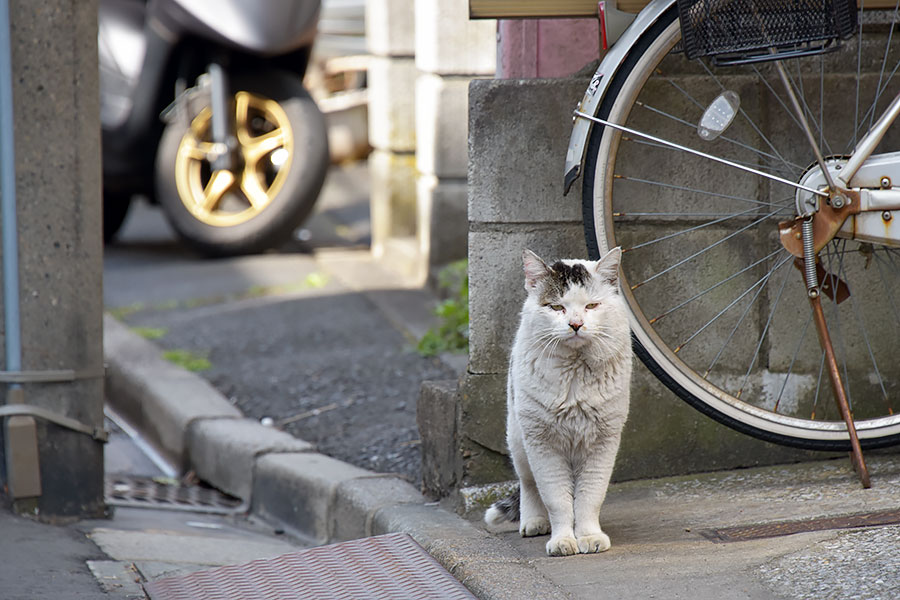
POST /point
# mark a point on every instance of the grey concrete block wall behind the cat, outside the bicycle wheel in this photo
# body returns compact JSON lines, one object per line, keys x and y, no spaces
{"x":518,"y":135}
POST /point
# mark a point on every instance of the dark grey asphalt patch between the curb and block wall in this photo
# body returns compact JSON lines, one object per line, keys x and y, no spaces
{"x":321,"y":362}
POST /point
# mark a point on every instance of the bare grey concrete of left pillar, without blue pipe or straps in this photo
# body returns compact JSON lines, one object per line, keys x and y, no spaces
{"x":57,"y":145}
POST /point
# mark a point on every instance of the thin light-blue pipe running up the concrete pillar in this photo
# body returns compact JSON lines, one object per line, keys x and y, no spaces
{"x":8,"y":200}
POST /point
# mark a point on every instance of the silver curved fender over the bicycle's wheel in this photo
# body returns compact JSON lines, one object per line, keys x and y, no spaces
{"x":600,"y":82}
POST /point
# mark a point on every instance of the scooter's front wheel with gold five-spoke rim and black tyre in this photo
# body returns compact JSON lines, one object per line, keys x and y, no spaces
{"x":276,"y":172}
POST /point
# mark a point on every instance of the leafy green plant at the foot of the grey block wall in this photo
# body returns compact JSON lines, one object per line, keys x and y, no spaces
{"x":451,"y":334}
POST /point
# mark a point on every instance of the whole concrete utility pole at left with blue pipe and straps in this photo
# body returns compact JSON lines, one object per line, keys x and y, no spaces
{"x":52,"y":402}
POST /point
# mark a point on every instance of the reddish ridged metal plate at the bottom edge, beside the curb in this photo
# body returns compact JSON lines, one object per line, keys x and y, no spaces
{"x":386,"y":567}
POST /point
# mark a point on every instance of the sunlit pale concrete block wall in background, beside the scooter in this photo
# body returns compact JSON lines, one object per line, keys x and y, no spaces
{"x":424,"y":54}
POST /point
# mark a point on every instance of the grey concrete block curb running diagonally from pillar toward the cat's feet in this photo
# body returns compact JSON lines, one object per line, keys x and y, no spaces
{"x":283,"y":479}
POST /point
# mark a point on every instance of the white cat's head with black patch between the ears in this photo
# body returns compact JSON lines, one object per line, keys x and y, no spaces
{"x":576,"y":302}
